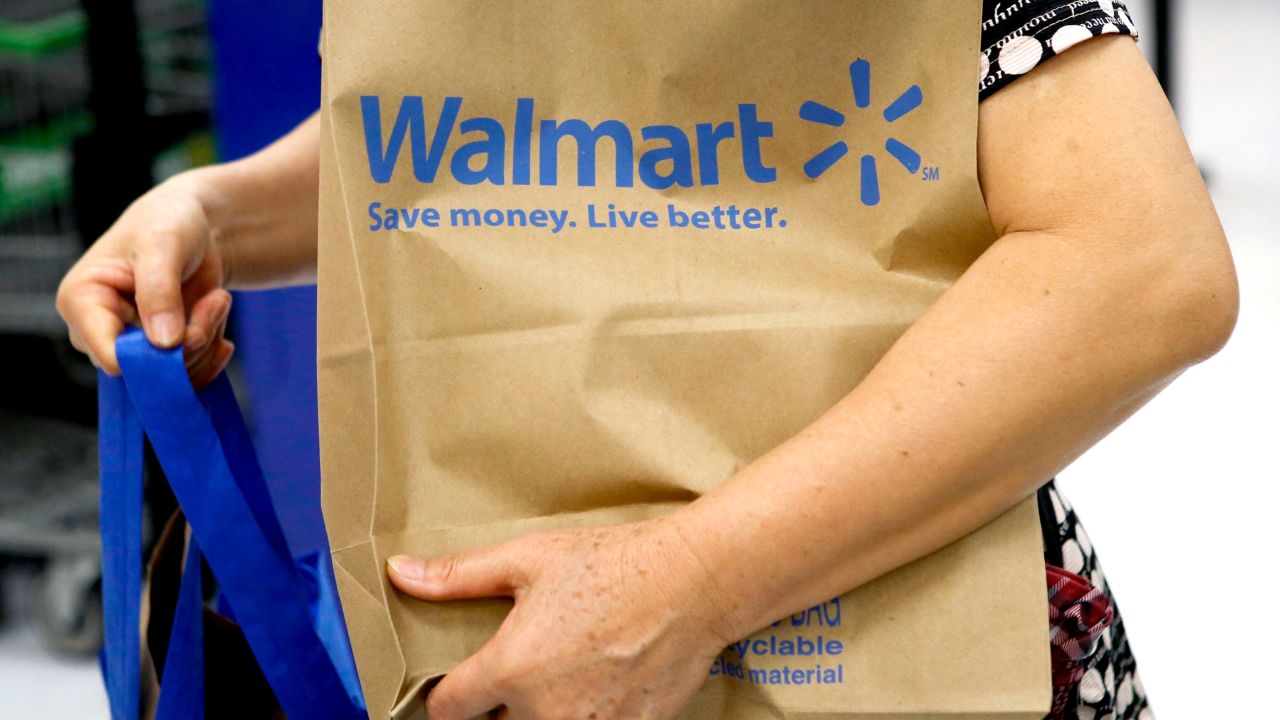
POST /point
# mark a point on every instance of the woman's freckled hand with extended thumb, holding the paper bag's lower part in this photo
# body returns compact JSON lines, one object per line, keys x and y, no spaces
{"x":610,"y":623}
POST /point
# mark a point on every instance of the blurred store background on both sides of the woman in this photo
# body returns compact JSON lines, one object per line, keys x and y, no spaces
{"x":99,"y":99}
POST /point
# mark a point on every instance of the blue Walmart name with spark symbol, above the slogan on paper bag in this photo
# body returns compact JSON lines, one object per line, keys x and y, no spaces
{"x":481,"y":149}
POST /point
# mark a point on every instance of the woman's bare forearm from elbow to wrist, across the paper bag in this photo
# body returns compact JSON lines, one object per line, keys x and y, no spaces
{"x":1023,"y":366}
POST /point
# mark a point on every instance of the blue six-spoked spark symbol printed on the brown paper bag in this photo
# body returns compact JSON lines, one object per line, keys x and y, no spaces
{"x":861,"y":79}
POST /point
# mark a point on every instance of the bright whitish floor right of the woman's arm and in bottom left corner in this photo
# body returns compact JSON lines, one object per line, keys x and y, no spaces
{"x":1185,"y":493}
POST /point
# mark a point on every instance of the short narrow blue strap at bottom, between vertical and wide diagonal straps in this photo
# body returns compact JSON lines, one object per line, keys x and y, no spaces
{"x":182,"y":691}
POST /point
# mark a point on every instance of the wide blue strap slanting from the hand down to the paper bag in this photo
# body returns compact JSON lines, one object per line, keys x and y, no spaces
{"x":225,"y":498}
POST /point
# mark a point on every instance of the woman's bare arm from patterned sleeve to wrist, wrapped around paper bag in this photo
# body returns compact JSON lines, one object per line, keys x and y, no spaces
{"x":1112,"y":276}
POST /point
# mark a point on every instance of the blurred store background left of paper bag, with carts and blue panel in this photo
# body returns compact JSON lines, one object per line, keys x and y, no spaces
{"x":100,"y":99}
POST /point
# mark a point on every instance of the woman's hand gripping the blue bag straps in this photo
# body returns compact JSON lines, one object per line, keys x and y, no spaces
{"x":159,"y":266}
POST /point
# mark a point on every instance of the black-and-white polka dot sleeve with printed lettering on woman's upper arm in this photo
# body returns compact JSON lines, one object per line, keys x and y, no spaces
{"x":1018,"y":35}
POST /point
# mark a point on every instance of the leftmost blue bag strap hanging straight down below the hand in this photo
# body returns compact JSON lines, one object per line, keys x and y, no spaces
{"x":121,"y":520}
